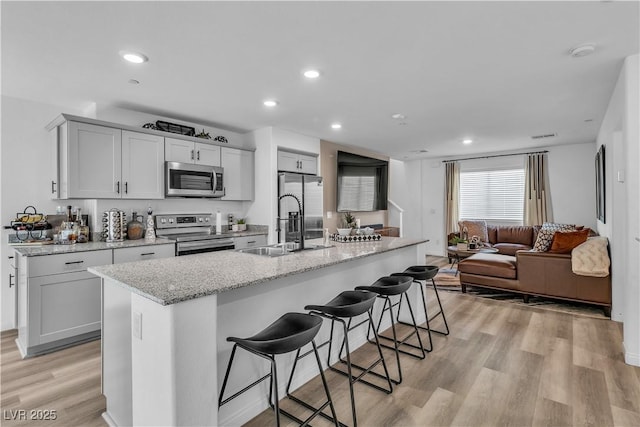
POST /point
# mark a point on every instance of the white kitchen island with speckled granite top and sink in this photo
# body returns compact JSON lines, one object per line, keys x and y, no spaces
{"x":165,"y":324}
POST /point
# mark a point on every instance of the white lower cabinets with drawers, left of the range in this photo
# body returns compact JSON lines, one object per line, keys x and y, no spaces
{"x":59,"y":302}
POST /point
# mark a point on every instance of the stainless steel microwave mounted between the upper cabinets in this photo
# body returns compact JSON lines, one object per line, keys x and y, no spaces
{"x":190,"y":180}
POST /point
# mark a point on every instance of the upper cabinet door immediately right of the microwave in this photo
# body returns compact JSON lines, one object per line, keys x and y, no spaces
{"x":238,"y":174}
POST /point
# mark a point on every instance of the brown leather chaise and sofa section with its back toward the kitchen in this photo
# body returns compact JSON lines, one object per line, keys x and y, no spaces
{"x":535,"y":273}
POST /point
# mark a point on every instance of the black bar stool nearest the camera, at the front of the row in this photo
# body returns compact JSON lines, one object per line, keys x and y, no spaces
{"x":290,"y":332}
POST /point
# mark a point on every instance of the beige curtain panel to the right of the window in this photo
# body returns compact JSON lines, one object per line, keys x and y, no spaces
{"x":537,"y":201}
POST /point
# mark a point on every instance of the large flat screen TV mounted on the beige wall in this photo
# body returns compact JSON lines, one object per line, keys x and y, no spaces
{"x":362,"y":183}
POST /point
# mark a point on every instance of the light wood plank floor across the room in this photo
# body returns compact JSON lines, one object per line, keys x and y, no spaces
{"x":502,"y":365}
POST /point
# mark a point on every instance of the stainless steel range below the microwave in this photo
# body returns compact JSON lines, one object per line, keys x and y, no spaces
{"x":192,"y":233}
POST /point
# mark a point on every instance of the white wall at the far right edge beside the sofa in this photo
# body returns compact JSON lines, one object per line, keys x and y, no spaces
{"x":619,"y":134}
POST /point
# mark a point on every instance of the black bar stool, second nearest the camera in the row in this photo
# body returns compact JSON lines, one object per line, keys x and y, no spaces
{"x":348,"y":305}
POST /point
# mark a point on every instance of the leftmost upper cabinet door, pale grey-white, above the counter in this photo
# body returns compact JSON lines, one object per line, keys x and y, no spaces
{"x":92,"y":161}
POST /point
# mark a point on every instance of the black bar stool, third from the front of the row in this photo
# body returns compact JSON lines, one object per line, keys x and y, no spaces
{"x":385,"y":287}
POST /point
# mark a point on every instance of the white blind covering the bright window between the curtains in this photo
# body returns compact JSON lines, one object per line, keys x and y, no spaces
{"x":492,"y":195}
